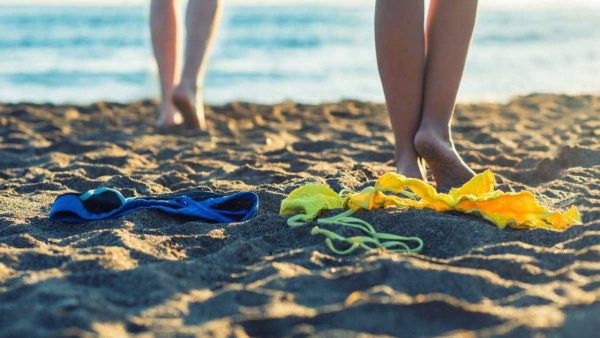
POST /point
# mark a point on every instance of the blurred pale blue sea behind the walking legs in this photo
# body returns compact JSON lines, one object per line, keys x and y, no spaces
{"x":309,"y":53}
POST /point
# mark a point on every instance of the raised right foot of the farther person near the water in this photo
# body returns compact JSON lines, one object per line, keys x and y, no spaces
{"x":185,"y":98}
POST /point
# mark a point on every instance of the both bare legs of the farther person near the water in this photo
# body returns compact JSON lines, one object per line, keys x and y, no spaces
{"x":182,"y":94}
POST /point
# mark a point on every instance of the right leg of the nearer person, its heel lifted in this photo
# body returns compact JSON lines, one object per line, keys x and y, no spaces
{"x":449,"y":29}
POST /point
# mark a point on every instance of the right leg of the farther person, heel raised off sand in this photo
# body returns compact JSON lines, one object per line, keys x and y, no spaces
{"x":201,"y":21}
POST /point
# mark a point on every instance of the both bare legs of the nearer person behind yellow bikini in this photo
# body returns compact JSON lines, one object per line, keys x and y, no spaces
{"x":420,"y":69}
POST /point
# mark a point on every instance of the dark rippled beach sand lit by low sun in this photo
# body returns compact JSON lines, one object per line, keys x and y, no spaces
{"x":148,"y":274}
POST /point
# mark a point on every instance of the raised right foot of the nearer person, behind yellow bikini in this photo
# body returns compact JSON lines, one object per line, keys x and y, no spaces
{"x":447,"y":167}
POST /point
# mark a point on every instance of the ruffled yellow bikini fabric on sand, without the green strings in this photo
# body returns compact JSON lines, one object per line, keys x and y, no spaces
{"x":517,"y":210}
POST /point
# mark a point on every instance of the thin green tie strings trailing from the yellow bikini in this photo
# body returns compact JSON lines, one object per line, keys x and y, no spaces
{"x":370,"y":241}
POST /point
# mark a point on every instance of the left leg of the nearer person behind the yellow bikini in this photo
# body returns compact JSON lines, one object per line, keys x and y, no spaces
{"x":399,"y":39}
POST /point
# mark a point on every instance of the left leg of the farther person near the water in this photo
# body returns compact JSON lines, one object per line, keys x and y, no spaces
{"x":164,"y":30}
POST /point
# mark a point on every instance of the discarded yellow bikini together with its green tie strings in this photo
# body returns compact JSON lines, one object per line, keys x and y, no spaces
{"x":478,"y":196}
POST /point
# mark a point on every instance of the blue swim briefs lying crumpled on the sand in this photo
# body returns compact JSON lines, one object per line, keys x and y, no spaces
{"x":106,"y":203}
